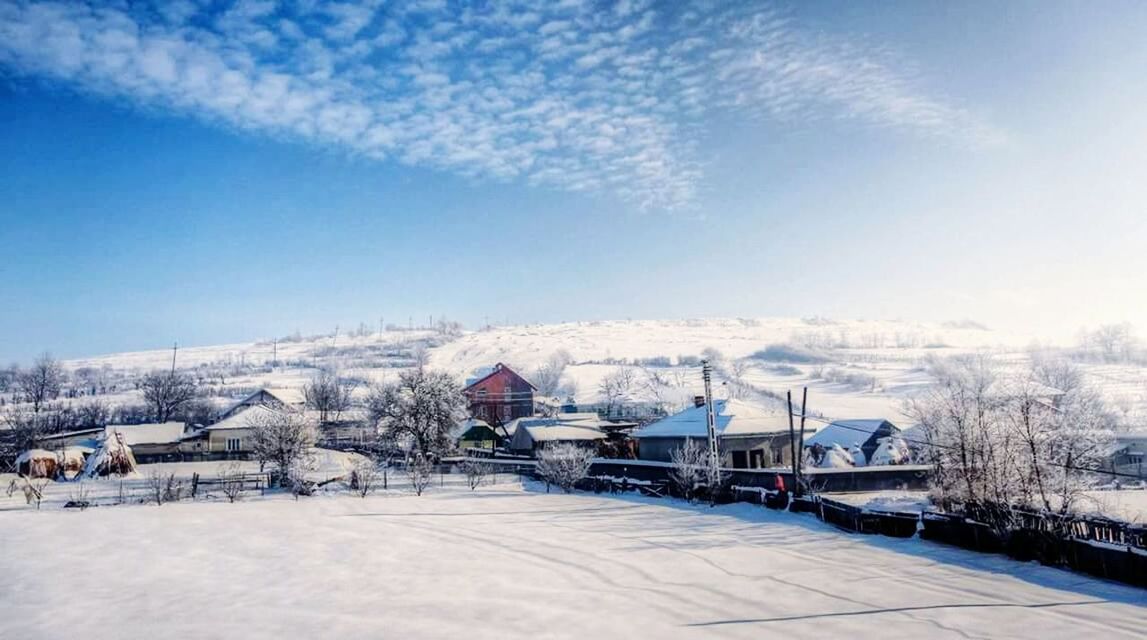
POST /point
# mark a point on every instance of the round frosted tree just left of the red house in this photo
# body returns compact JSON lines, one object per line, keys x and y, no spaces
{"x":422,"y":407}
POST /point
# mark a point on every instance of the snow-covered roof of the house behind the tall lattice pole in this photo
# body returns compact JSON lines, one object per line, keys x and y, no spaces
{"x":735,"y":418}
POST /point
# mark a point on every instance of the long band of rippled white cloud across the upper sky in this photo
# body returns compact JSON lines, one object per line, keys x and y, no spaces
{"x":567,"y":97}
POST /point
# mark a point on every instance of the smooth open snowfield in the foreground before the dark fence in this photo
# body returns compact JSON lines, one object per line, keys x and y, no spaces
{"x":505,"y":564}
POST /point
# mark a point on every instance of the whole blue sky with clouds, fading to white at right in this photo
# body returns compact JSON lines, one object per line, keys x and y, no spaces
{"x":221,"y":174}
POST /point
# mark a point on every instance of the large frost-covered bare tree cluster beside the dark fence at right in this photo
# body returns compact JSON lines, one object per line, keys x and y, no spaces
{"x":1004,"y":439}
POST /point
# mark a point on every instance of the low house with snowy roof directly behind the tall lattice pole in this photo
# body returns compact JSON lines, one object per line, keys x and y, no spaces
{"x":750,"y":436}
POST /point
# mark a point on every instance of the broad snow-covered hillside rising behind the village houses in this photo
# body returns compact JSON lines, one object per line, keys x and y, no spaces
{"x":854,"y":369}
